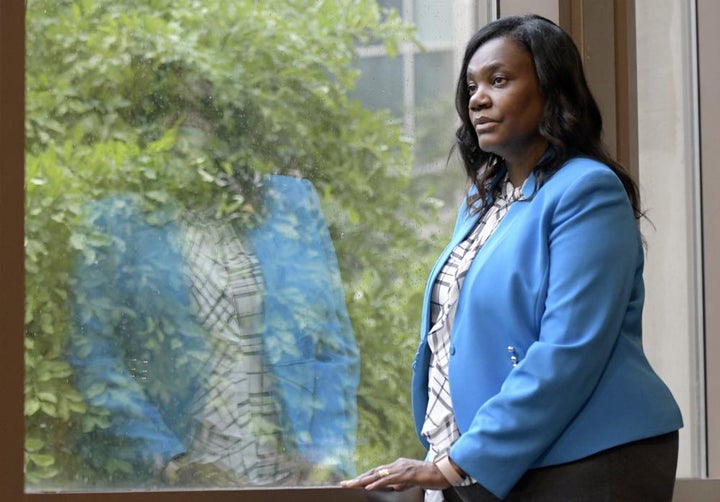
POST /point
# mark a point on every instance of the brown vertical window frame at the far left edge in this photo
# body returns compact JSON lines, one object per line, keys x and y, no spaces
{"x":12,"y":106}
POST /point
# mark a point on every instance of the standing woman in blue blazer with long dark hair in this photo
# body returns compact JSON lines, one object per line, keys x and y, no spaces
{"x":530,"y":382}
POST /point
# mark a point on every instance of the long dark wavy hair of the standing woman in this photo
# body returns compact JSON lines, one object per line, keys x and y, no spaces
{"x":571,"y":120}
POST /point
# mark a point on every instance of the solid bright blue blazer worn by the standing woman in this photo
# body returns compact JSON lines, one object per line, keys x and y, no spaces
{"x":559,"y":286}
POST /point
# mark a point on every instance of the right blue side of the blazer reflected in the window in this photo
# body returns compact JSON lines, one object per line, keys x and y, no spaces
{"x":308,"y":340}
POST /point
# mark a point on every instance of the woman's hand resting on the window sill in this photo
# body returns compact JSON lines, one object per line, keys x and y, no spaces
{"x":400,"y":475}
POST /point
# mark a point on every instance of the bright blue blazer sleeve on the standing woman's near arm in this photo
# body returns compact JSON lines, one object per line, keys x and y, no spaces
{"x":595,"y":259}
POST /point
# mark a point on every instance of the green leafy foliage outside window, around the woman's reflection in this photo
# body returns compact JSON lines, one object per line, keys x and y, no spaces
{"x":167,"y":99}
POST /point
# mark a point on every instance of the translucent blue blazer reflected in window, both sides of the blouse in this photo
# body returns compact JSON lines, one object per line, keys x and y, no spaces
{"x":139,"y":351}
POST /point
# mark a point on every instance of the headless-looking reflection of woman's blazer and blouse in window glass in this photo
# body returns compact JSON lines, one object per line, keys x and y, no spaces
{"x":221,"y":355}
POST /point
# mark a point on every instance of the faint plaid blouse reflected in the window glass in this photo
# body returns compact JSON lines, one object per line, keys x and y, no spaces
{"x":238,"y":427}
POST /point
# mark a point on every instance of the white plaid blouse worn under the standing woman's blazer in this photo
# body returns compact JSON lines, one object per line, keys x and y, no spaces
{"x":439,"y":427}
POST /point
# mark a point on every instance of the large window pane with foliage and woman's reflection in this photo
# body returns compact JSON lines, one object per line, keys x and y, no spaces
{"x":226,"y":239}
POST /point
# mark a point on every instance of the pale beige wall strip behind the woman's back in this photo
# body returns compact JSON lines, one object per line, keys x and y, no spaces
{"x":667,"y":169}
